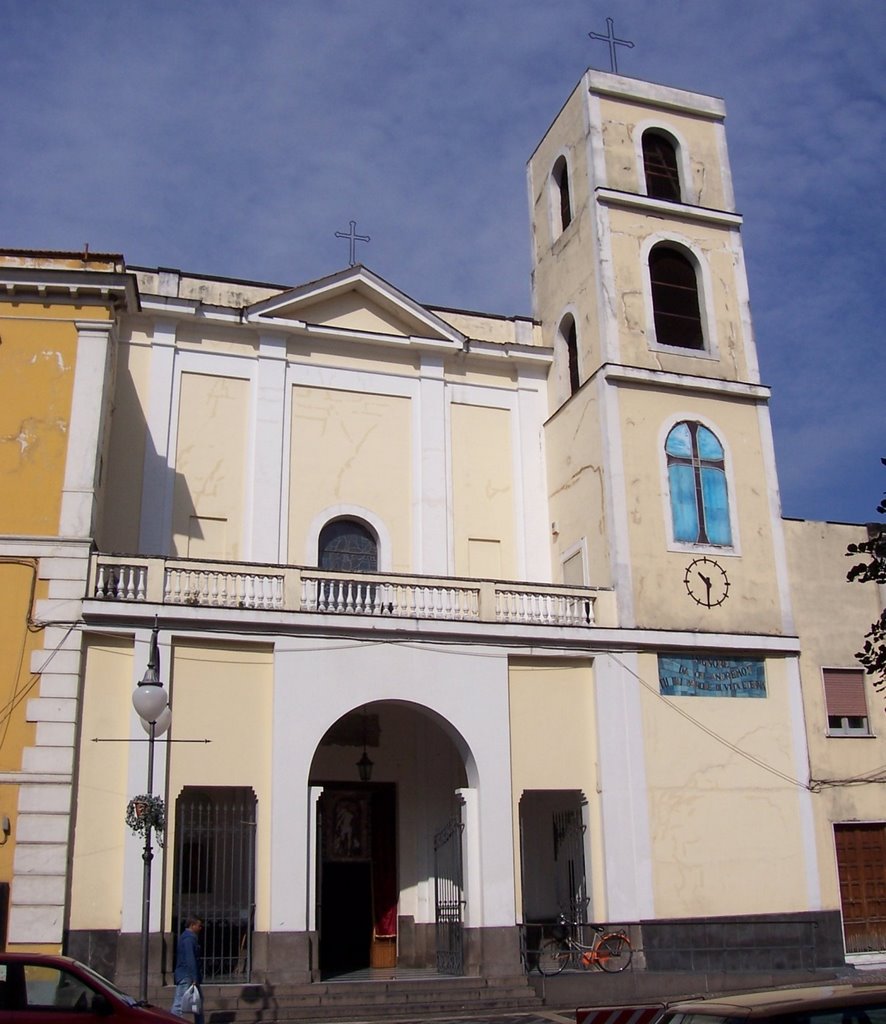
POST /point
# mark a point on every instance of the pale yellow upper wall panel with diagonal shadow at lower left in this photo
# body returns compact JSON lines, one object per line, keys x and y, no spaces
{"x":210,"y":467}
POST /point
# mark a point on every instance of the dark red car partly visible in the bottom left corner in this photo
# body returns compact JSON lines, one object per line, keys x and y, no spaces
{"x":40,"y":990}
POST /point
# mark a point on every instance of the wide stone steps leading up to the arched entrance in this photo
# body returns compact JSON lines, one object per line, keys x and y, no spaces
{"x":407,"y":996}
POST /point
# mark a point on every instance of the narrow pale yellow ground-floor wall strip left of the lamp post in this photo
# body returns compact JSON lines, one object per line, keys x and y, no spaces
{"x":101,"y":835}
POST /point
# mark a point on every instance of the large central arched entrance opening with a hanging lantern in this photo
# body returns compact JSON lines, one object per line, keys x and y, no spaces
{"x":388,"y":777}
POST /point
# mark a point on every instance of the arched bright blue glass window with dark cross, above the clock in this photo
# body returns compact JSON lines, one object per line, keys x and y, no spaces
{"x":697,"y":480}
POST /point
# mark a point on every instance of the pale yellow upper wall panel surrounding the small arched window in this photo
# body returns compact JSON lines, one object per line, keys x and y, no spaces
{"x":353,"y":449}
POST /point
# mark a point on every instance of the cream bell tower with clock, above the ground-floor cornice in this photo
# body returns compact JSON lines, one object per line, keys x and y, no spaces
{"x":660,"y":451}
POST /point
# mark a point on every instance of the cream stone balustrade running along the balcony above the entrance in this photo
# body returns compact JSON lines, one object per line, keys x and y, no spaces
{"x":215,"y":585}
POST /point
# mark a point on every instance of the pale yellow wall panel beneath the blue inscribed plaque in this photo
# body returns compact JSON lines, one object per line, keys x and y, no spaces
{"x":727,"y":832}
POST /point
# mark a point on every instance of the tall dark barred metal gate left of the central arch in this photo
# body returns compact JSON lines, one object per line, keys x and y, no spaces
{"x":215,"y":876}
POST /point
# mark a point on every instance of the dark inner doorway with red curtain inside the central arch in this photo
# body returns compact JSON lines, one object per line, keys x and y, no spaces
{"x":358,"y":877}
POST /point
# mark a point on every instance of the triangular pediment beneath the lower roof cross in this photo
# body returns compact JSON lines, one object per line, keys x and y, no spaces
{"x":355,"y":301}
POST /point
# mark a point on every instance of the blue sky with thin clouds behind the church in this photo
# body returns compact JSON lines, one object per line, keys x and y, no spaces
{"x":236,"y":139}
